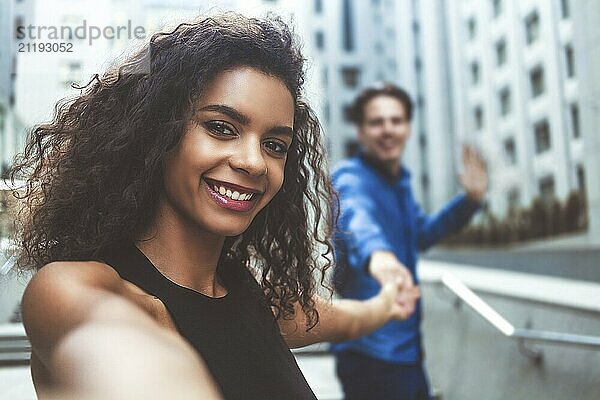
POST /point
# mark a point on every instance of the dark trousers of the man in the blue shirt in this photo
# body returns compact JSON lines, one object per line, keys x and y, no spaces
{"x":366,"y":378}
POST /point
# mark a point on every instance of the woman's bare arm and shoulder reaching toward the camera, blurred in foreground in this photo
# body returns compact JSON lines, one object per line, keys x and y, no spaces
{"x":89,"y":341}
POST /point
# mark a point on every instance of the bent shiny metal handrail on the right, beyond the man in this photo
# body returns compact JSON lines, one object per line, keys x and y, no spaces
{"x":507,"y":329}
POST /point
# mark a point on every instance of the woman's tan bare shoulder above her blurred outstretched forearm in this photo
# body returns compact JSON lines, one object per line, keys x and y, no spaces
{"x":63,"y":296}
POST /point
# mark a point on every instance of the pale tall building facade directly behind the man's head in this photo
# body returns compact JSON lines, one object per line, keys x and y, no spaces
{"x":353,"y":44}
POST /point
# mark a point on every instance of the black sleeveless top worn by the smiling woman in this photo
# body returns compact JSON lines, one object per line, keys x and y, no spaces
{"x":236,"y":335}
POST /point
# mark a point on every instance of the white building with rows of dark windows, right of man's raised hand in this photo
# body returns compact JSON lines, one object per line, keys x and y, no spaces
{"x":516,"y":94}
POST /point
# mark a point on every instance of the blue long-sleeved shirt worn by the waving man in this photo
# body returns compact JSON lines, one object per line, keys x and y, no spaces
{"x":379,"y":212}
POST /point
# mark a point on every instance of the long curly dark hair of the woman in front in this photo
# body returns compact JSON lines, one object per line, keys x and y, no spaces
{"x":94,"y":174}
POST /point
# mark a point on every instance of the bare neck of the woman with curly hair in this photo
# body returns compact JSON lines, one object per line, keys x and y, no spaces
{"x":183,"y":253}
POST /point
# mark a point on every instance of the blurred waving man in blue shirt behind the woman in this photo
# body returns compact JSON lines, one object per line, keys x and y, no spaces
{"x":381,"y":230}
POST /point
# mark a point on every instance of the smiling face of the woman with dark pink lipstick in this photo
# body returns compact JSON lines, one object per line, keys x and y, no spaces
{"x":231,"y":159}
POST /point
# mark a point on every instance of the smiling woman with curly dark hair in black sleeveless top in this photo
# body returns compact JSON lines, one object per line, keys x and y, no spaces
{"x":166,"y":219}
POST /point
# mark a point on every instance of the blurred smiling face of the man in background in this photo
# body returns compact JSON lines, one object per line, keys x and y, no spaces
{"x":385,"y":129}
